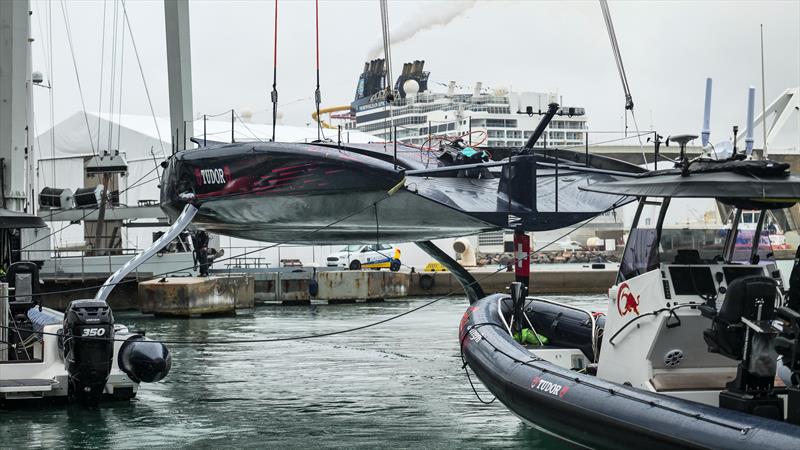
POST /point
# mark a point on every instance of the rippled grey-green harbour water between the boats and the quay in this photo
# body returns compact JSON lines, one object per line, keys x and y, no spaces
{"x":397,"y":385}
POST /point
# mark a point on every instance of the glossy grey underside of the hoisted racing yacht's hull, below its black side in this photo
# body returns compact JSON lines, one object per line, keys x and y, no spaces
{"x":337,"y":218}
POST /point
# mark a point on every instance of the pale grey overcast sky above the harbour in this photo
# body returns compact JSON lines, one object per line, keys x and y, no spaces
{"x":668,"y":49}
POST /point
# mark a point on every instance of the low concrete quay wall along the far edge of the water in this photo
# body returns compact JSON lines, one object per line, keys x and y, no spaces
{"x":230,"y":293}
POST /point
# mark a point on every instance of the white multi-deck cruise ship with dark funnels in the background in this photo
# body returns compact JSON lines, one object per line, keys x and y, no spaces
{"x":490,"y":117}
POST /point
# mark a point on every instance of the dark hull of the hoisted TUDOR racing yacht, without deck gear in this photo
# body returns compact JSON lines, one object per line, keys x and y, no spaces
{"x":315,"y":193}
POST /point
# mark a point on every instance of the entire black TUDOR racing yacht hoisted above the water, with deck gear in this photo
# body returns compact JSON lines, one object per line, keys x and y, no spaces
{"x":326,"y":192}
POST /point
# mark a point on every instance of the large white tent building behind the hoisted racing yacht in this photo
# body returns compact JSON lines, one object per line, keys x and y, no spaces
{"x":146,"y":142}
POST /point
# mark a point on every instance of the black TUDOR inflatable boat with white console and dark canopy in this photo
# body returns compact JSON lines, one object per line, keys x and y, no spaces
{"x":699,"y":346}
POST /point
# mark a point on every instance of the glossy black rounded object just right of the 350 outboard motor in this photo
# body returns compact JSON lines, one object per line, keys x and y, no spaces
{"x":144,"y":360}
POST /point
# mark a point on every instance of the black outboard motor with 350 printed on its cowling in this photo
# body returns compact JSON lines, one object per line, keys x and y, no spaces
{"x":88,"y":348}
